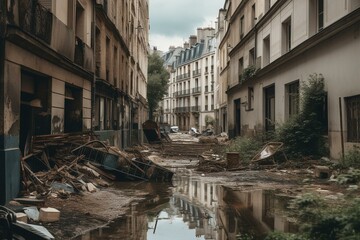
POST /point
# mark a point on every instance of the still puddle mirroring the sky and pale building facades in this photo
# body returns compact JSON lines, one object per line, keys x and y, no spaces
{"x":195,"y":209}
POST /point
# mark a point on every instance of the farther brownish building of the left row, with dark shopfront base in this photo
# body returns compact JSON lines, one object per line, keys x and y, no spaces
{"x":121,"y":44}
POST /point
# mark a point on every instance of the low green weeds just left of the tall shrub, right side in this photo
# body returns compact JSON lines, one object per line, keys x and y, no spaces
{"x":247,"y":147}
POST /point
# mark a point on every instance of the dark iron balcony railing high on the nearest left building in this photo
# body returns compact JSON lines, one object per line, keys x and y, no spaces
{"x":35,"y":19}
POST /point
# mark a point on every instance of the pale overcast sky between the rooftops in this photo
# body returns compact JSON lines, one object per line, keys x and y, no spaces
{"x":173,"y":21}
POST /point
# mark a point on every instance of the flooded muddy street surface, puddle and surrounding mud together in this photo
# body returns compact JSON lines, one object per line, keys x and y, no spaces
{"x":195,"y":205}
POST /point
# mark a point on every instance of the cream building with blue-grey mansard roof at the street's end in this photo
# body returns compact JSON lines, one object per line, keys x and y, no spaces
{"x":190,"y":100}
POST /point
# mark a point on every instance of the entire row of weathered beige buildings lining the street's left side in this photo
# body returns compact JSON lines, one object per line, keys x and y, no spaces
{"x":69,"y":66}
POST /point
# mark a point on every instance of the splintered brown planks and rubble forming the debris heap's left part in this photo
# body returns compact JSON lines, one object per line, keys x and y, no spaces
{"x":52,"y":170}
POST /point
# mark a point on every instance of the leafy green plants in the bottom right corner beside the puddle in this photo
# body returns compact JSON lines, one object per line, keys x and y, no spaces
{"x":323,"y":223}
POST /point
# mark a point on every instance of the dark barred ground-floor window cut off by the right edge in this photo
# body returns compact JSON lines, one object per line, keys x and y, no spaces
{"x":353,"y":118}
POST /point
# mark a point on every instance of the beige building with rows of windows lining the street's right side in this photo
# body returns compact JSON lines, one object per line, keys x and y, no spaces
{"x":283,"y":42}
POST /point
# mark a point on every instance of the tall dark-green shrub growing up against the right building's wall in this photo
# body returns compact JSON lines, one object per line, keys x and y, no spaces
{"x":303,"y":133}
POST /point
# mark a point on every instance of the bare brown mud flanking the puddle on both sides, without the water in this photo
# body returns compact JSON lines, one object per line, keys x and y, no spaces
{"x":82,"y":213}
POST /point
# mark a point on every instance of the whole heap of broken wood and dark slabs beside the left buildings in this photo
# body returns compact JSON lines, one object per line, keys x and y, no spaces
{"x":59,"y":165}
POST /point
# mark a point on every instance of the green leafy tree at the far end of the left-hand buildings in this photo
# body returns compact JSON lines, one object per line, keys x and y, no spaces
{"x":158,"y":78}
